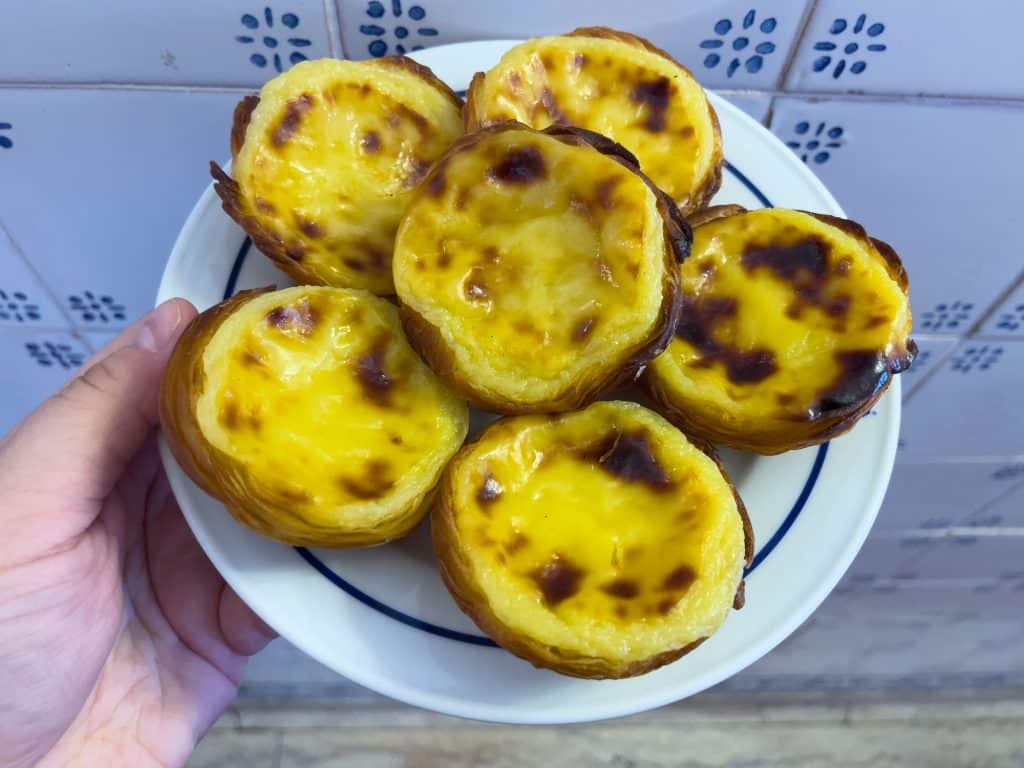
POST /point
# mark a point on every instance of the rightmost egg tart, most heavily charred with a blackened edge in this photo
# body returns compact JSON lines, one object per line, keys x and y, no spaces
{"x":793,"y":326}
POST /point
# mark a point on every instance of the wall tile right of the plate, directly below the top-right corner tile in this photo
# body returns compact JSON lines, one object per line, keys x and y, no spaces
{"x":891,"y":168}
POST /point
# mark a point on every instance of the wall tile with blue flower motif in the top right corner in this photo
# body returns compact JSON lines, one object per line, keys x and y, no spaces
{"x":913,"y":47}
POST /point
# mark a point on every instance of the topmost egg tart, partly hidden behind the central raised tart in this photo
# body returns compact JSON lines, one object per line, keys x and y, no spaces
{"x":616,"y":84}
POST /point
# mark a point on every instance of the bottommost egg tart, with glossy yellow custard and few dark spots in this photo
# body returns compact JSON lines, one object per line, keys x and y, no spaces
{"x":599,"y":544}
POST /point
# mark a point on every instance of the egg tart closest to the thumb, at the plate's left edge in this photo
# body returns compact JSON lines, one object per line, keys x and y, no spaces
{"x":307,"y":413}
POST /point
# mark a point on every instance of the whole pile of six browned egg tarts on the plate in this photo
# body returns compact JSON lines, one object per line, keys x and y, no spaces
{"x":525,"y":253}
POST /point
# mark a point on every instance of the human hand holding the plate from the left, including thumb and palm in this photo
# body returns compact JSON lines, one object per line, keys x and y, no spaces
{"x":120,"y":645}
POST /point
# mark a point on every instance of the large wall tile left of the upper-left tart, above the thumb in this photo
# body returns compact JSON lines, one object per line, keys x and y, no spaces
{"x":98,"y":185}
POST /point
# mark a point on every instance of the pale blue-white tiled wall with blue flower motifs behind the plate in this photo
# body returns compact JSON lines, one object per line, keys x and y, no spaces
{"x":912,"y":114}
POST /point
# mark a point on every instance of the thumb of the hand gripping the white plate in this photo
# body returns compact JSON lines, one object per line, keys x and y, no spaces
{"x":77,"y":445}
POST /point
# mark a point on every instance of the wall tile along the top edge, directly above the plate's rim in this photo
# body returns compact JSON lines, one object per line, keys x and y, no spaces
{"x":727,"y":44}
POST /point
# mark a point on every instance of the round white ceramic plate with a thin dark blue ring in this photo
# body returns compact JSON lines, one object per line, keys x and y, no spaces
{"x":382,"y":617}
